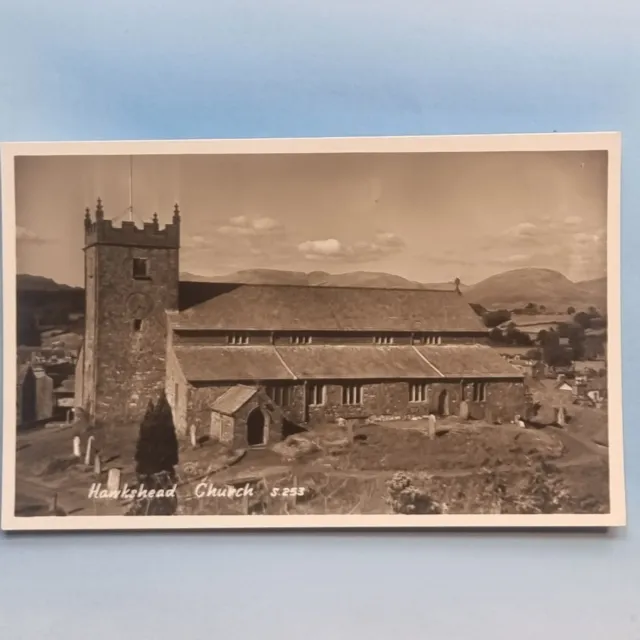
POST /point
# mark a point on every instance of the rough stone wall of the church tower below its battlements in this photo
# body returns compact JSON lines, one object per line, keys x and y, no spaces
{"x":125,"y":343}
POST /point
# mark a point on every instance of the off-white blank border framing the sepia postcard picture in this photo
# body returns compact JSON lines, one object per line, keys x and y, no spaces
{"x":610,"y":142}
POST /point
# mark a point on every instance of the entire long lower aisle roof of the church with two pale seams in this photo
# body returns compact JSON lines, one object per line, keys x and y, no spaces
{"x":341,"y":362}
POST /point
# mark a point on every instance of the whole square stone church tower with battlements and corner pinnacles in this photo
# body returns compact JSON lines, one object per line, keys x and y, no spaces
{"x":131,"y":280}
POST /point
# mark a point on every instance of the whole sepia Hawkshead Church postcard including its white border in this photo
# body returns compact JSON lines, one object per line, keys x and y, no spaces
{"x":375,"y":332}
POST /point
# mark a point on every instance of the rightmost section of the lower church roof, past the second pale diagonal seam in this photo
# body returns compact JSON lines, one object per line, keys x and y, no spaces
{"x":469,"y":361}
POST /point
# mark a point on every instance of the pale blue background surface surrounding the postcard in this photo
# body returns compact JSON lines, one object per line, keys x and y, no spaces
{"x":88,"y":70}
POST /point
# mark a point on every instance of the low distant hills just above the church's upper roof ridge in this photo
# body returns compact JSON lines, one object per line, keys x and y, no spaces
{"x":320,"y":279}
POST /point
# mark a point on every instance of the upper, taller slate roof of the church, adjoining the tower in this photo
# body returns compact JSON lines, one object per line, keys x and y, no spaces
{"x":307,"y":308}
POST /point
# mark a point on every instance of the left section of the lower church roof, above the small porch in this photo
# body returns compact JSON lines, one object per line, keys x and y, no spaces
{"x":208,"y":364}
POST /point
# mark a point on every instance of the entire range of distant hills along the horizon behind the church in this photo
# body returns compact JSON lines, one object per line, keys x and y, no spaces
{"x":510,"y":289}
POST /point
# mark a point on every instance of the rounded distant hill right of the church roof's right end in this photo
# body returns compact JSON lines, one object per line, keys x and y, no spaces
{"x":541,"y":286}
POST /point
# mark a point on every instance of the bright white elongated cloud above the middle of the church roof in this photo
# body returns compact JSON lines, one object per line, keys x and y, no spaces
{"x":383,"y":244}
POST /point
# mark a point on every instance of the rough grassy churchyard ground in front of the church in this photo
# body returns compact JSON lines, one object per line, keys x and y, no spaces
{"x":468,"y":467}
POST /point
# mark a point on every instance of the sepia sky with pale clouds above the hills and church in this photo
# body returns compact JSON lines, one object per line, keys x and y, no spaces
{"x":427,"y":217}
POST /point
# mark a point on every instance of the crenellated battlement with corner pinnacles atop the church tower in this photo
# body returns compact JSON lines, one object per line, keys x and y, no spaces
{"x":102,"y":231}
